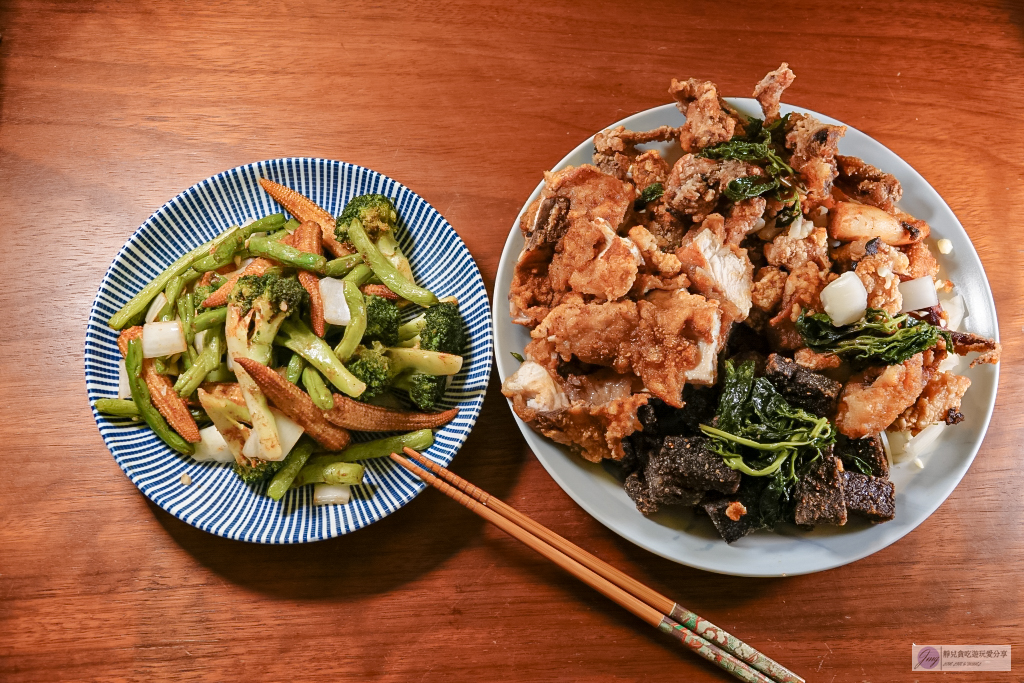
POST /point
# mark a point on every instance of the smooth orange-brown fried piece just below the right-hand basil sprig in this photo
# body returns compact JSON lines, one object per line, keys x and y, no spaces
{"x":873,"y":400}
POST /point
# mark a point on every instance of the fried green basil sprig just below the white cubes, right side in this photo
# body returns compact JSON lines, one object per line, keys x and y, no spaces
{"x":876,"y":339}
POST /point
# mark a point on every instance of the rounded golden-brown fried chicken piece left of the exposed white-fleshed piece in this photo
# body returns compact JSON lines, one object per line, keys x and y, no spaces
{"x":592,"y":260}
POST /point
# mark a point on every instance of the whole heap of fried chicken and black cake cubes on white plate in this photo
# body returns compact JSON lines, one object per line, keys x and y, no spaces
{"x":638,"y":279}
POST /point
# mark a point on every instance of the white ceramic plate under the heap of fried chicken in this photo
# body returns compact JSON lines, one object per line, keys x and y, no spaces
{"x":691,"y":540}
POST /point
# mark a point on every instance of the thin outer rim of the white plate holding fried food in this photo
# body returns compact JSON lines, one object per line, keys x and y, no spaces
{"x":508,"y":258}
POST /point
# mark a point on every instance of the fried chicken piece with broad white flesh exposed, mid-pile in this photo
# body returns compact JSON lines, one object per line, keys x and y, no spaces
{"x":719,"y":272}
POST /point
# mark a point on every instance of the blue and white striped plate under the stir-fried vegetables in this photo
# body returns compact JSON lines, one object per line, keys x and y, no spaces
{"x":218,"y":501}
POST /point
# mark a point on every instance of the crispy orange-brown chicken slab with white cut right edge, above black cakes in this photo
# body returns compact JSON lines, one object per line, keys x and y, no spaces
{"x":676,"y":341}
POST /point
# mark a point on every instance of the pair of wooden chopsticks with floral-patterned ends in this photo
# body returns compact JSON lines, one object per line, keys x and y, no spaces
{"x":698,"y":634}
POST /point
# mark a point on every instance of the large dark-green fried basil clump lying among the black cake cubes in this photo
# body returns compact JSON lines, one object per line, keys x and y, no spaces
{"x":757,"y":433}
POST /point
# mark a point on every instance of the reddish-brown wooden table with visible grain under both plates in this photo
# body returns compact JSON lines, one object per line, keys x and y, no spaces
{"x":108,"y":110}
